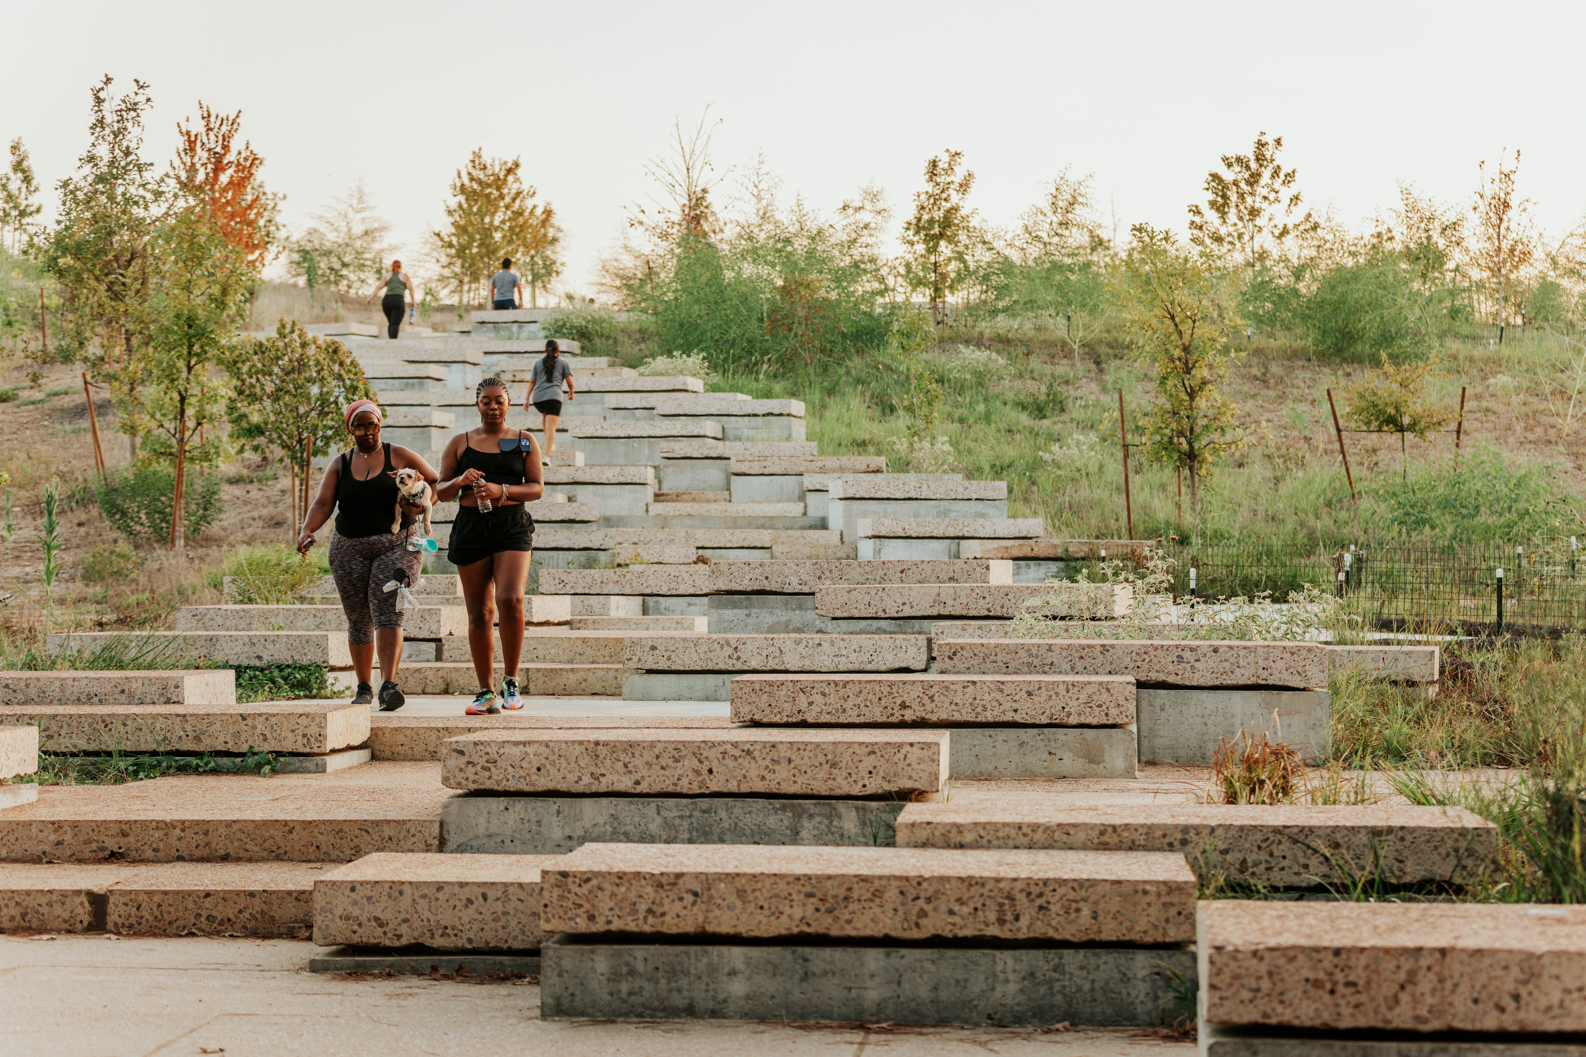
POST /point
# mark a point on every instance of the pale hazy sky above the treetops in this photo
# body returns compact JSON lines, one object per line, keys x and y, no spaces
{"x":1144,"y":96}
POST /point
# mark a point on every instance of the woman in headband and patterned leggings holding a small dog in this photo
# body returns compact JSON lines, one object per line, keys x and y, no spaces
{"x":366,"y":555}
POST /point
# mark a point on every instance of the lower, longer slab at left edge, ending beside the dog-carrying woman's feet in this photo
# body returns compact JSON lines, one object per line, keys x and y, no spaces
{"x":297,"y":728}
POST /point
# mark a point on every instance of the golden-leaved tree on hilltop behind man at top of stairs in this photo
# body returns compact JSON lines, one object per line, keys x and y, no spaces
{"x":491,"y":217}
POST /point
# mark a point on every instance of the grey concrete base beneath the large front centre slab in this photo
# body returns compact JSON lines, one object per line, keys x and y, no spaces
{"x":916,"y":985}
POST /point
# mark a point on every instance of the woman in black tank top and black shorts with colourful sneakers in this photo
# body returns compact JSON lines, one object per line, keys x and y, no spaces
{"x":492,"y":472}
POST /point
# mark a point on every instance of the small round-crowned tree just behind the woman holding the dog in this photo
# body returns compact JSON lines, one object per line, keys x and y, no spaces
{"x":289,"y":390}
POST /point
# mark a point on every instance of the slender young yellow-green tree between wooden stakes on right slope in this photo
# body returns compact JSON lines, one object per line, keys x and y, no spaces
{"x":1179,"y":310}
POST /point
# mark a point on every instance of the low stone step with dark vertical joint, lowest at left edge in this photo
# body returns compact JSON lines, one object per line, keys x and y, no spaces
{"x":180,"y":899}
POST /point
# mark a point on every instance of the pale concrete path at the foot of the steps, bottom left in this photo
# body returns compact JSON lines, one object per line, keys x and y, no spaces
{"x":105,"y":997}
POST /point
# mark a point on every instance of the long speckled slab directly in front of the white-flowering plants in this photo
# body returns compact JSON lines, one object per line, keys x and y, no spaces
{"x":1200,"y":664}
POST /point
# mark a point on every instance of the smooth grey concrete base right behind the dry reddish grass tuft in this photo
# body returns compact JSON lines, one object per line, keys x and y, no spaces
{"x":1187,"y":726}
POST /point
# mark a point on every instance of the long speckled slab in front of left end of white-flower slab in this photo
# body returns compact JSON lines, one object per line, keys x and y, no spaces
{"x":933,"y":699}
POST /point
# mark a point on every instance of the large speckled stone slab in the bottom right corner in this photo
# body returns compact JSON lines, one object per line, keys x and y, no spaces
{"x":1395,"y":967}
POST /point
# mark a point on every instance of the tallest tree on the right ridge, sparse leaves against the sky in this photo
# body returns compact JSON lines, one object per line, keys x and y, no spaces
{"x":1251,"y":209}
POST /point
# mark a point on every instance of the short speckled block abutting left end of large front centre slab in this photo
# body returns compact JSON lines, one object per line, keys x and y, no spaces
{"x":445,"y":902}
